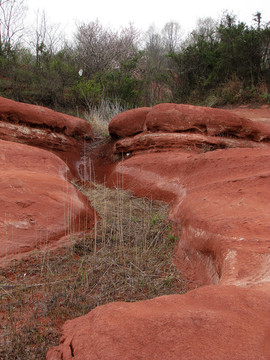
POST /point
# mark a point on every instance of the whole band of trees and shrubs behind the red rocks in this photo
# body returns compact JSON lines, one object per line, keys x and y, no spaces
{"x":225,"y":62}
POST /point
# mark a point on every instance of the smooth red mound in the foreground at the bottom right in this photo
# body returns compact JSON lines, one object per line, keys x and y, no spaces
{"x":208,"y":323}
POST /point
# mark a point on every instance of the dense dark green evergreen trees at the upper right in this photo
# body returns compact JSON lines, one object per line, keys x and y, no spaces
{"x":233,"y":51}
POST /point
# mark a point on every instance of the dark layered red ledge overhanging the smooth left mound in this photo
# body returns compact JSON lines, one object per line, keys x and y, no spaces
{"x":62,"y":134}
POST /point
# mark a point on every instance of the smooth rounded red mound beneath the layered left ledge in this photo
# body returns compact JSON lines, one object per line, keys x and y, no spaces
{"x":39,"y":208}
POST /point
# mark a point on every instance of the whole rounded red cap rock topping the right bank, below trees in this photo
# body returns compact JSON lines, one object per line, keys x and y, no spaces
{"x":170,"y":117}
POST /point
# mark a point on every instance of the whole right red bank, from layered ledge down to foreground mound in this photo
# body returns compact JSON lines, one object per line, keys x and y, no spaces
{"x":220,"y":211}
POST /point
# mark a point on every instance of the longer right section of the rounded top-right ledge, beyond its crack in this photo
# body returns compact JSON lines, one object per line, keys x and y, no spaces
{"x":179,"y":117}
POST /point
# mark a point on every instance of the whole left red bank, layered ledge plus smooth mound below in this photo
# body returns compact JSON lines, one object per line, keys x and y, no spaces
{"x":39,"y":207}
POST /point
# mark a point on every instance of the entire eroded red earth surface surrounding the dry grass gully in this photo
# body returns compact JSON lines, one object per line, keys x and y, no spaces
{"x":211,"y":165}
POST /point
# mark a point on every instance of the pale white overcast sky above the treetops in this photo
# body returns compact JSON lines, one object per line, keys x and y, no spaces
{"x":142,"y":13}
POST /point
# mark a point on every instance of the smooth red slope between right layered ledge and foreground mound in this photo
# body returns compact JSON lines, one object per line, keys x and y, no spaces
{"x":223,"y":208}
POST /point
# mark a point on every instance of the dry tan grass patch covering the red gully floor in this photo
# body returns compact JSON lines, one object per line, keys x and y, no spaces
{"x":128,"y":257}
